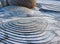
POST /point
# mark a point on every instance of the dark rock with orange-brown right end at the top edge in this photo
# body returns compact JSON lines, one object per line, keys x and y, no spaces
{"x":25,"y":3}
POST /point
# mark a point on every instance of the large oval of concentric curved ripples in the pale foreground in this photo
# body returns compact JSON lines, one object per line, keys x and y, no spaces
{"x":25,"y":31}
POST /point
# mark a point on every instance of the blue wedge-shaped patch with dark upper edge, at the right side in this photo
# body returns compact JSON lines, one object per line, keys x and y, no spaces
{"x":52,"y":13}
